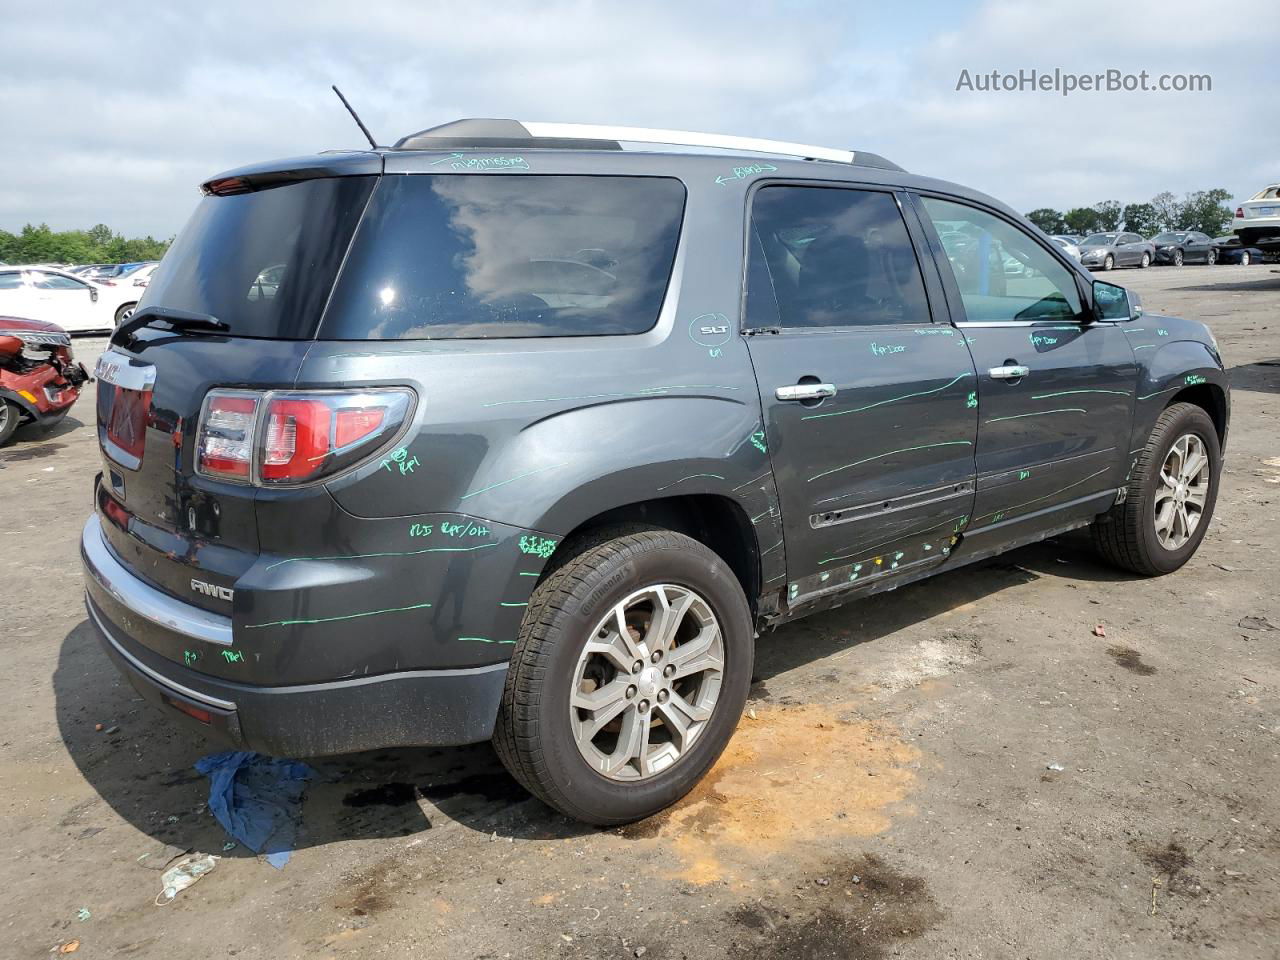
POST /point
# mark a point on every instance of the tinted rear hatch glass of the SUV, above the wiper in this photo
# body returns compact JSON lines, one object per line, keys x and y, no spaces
{"x":263,"y":263}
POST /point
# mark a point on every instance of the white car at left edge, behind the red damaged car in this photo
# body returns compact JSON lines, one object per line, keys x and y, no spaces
{"x":63,"y":299}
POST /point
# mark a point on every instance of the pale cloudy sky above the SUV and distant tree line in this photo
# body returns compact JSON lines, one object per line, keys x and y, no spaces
{"x":115,"y":113}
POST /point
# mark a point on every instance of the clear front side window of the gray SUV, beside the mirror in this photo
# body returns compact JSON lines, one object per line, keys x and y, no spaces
{"x":1002,"y":272}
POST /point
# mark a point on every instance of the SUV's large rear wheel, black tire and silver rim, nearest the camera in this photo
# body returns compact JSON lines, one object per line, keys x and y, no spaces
{"x":629,"y":678}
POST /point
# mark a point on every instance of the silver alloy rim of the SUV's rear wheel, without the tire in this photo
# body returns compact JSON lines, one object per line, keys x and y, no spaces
{"x":647,"y":683}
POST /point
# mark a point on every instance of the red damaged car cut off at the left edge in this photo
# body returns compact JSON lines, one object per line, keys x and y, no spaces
{"x":39,"y":378}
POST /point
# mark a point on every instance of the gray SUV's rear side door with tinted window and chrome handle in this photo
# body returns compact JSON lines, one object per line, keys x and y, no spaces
{"x":868,"y":399}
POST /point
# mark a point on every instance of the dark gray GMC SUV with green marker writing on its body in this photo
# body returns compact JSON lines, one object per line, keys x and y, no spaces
{"x":510,"y":432}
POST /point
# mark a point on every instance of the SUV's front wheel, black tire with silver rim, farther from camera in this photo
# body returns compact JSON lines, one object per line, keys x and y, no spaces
{"x":1172,"y":492}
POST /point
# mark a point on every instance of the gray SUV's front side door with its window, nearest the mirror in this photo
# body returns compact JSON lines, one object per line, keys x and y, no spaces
{"x":1055,"y":386}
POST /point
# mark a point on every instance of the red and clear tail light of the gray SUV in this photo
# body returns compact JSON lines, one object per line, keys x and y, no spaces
{"x":281,"y":438}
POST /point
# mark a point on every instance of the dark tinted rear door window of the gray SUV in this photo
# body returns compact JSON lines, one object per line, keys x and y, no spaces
{"x":833,"y":258}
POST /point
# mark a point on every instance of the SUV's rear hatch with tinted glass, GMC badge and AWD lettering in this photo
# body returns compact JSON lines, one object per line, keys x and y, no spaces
{"x":236,"y":305}
